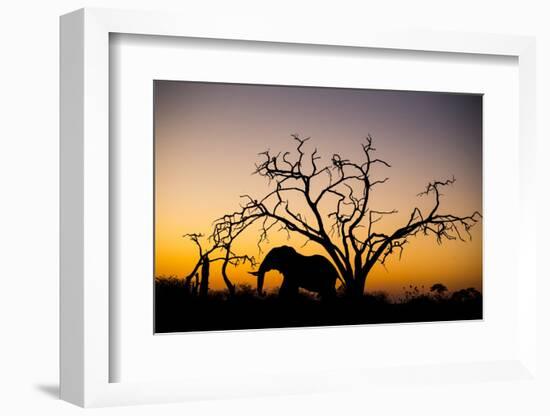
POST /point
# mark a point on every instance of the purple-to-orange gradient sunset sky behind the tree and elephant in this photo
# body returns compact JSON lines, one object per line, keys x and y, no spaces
{"x":208,"y":135}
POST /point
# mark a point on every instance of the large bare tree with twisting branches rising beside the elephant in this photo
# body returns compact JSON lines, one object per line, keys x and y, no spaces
{"x":347,"y":229}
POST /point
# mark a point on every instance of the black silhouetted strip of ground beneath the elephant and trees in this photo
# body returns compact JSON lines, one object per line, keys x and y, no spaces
{"x":178,"y":310}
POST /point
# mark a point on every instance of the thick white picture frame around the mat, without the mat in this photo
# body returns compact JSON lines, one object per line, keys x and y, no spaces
{"x":85,"y":165}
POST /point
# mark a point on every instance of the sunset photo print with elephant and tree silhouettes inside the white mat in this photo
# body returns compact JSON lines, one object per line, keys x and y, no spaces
{"x":290,"y":206}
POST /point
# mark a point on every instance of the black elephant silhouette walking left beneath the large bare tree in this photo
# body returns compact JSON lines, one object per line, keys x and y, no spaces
{"x":313,"y":273}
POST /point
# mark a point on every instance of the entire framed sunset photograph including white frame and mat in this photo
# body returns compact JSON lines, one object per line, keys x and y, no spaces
{"x":268,"y":212}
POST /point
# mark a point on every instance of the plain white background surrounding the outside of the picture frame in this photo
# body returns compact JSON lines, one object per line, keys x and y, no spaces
{"x":29,"y":185}
